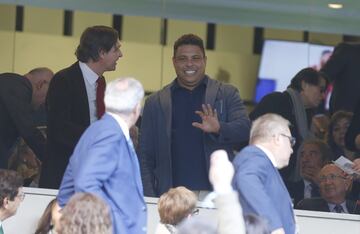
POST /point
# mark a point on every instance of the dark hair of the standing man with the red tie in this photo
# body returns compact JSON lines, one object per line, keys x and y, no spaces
{"x":93,"y":40}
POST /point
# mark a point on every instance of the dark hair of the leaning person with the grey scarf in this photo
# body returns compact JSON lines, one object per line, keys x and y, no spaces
{"x":308,"y":75}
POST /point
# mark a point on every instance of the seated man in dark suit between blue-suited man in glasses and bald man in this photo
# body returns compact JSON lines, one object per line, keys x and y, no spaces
{"x":313,"y":155}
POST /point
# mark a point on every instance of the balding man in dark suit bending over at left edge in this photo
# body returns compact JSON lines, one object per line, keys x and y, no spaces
{"x":19,"y":97}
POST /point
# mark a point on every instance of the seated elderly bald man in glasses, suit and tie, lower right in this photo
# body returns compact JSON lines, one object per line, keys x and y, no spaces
{"x":334,"y":185}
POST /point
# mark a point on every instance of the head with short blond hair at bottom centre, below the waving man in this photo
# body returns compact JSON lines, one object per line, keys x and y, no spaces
{"x":176,"y":205}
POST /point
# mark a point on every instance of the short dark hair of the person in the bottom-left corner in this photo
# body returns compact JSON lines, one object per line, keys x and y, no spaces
{"x":10,"y":182}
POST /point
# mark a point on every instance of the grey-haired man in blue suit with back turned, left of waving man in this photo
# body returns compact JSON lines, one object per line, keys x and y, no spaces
{"x":104,"y":161}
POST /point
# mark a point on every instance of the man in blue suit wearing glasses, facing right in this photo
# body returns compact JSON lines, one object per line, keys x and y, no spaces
{"x":260,"y":186}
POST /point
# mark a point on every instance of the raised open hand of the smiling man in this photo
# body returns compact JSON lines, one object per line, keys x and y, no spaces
{"x":210,"y":122}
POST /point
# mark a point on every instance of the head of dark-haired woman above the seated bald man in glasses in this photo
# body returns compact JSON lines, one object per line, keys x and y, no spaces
{"x":339,"y":123}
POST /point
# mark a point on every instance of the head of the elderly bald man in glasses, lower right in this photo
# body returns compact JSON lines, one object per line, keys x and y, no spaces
{"x":334,"y":184}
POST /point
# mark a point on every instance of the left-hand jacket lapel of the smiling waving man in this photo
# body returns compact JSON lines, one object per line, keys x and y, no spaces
{"x":165,"y":104}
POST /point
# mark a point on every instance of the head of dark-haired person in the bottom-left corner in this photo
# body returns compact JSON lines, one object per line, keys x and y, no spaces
{"x":11,"y":193}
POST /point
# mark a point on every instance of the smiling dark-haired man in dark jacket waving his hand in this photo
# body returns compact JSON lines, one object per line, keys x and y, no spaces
{"x":183,"y":123}
